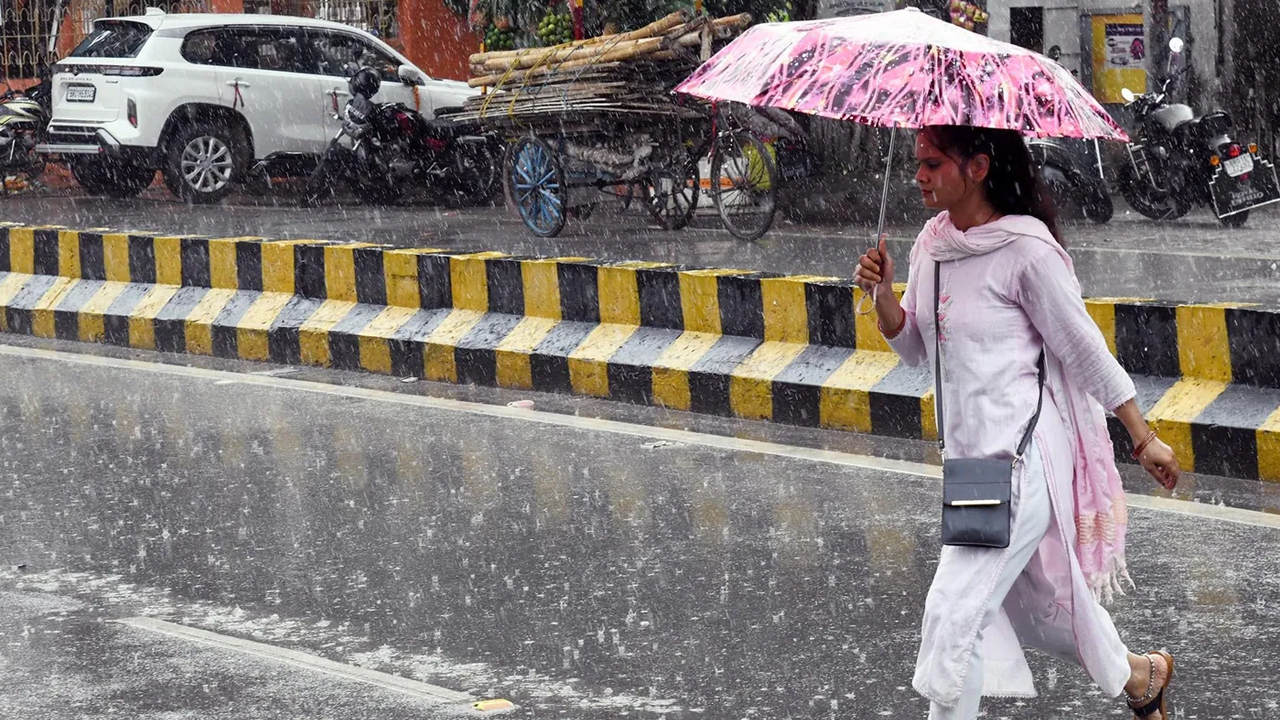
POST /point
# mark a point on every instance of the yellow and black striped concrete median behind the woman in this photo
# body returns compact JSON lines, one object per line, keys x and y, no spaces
{"x":716,"y":341}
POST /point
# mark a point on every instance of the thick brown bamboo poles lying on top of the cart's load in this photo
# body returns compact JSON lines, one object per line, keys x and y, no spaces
{"x":659,"y":42}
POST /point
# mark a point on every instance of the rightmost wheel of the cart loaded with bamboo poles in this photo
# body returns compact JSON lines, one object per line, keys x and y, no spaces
{"x":744,"y":183}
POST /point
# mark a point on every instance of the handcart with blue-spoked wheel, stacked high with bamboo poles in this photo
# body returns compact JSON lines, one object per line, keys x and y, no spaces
{"x":598,"y":119}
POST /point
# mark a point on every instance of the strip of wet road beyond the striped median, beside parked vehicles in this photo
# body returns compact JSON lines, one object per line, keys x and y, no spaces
{"x":1194,"y":259}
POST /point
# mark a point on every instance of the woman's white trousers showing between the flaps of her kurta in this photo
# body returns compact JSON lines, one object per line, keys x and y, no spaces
{"x":1022,"y":584}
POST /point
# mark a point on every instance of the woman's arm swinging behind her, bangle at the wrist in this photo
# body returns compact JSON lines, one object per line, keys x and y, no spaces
{"x":1048,"y":294}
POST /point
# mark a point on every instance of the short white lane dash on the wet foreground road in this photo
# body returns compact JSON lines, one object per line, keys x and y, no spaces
{"x":307,"y":662}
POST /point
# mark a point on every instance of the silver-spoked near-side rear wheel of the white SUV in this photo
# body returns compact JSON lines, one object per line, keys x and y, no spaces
{"x":202,"y":162}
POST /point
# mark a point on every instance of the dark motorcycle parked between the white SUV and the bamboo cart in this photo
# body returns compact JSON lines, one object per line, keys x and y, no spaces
{"x":383,"y":149}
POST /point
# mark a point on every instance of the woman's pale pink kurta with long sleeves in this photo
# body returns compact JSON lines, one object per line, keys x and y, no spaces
{"x":998,"y":311}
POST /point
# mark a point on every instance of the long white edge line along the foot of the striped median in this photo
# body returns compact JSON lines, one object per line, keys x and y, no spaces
{"x":691,"y":438}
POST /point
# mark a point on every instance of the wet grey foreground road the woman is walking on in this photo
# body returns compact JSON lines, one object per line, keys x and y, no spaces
{"x":580,"y":569}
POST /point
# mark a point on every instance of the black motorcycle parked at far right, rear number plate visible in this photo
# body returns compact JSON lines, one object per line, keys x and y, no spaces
{"x":1181,"y":161}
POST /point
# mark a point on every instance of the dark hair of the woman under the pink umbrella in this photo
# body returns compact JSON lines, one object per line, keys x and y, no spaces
{"x":1013,"y":184}
